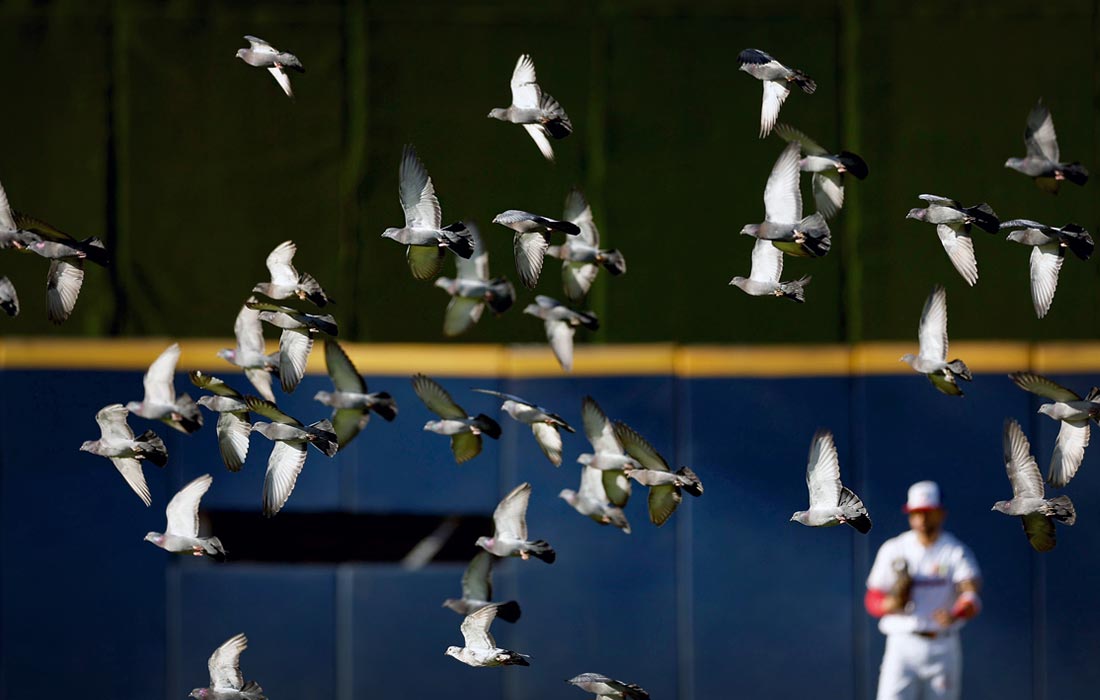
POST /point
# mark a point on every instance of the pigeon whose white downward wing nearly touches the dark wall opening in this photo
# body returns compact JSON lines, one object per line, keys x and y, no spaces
{"x":289,"y":455}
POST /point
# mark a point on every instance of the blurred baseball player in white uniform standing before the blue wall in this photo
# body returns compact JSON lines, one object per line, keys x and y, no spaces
{"x":923,"y":587}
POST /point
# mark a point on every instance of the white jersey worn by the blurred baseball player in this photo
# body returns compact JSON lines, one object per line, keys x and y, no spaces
{"x":937,"y":571}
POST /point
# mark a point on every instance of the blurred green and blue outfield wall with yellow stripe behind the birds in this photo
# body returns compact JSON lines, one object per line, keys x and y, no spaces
{"x":133,"y":122}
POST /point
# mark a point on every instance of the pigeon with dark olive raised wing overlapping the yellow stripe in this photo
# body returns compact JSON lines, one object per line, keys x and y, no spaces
{"x":350,"y":402}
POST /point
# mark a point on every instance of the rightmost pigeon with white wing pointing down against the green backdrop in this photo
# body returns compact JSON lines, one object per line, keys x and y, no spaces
{"x":1049,"y":249}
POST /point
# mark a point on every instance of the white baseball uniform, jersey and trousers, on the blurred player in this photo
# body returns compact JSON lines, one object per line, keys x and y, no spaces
{"x":922,"y":659}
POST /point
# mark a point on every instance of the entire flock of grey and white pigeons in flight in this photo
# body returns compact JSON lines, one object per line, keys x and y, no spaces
{"x":621,"y":456}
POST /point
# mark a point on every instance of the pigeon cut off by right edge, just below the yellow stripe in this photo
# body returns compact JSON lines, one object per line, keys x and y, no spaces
{"x":1074,"y":413}
